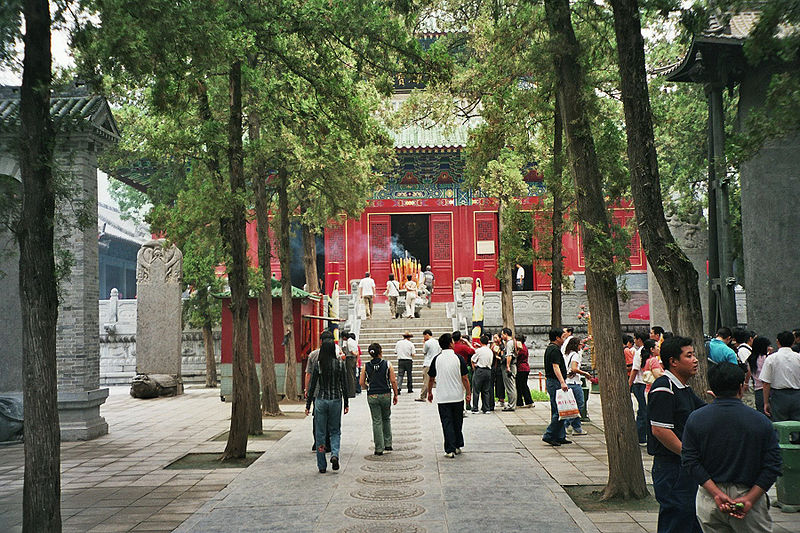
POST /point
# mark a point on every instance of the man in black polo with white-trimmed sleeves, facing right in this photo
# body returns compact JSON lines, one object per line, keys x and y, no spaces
{"x":669,"y":404}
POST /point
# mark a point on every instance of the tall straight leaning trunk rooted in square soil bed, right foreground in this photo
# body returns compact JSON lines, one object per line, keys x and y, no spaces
{"x":626,"y":474}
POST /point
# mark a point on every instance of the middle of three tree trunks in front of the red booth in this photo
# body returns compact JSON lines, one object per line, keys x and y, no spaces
{"x":269,"y":382}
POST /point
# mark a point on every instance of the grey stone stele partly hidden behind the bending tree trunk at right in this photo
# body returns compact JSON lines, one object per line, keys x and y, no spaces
{"x":693,"y":240}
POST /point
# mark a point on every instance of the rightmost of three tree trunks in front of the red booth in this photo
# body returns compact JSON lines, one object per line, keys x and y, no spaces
{"x":290,"y":385}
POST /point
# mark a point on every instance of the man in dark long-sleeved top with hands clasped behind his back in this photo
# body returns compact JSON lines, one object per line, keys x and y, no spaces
{"x":731,"y":451}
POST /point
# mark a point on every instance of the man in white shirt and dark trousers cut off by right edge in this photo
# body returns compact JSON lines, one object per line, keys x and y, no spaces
{"x":781,"y":377}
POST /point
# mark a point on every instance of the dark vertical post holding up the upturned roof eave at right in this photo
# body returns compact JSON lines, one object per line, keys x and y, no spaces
{"x":727,"y":281}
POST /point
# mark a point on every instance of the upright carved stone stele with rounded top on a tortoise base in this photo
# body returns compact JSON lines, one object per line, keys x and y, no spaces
{"x":158,"y":313}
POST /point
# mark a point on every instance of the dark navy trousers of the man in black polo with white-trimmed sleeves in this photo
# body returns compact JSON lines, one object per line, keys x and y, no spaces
{"x":676,"y":493}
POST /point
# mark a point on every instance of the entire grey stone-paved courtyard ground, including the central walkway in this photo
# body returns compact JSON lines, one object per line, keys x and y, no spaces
{"x":501,"y":482}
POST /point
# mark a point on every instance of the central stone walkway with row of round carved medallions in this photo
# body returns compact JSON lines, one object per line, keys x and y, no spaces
{"x":495,"y":485}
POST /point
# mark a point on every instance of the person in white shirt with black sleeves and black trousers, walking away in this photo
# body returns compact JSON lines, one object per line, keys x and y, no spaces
{"x":448,"y":372}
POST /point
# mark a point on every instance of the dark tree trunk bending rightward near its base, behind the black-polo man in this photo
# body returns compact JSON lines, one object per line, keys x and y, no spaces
{"x":674,"y":272}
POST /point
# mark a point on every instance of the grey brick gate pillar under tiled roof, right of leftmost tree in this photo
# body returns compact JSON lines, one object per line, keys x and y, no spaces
{"x":77,"y":331}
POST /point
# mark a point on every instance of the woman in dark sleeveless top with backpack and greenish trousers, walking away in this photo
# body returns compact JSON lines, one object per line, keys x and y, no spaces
{"x":379,"y":380}
